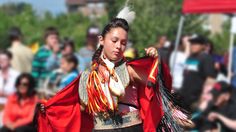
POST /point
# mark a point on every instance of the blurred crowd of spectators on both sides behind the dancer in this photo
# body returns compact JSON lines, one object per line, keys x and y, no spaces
{"x":200,"y":81}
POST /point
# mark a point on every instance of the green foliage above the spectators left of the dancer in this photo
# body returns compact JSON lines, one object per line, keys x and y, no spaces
{"x":72,"y":25}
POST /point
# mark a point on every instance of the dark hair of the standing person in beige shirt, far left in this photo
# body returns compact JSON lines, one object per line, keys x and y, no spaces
{"x":14,"y":34}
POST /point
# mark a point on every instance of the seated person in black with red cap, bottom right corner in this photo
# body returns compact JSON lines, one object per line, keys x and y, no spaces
{"x":218,"y":110}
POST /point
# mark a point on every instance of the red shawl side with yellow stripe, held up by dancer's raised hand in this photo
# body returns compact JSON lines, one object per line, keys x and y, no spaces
{"x":149,"y":95}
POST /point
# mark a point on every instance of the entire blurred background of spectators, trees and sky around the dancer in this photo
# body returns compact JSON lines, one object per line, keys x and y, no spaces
{"x":44,"y":45}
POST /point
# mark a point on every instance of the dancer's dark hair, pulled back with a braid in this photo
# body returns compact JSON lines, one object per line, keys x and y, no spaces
{"x":114,"y":23}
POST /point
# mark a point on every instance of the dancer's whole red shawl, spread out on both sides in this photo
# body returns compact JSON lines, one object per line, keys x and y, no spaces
{"x":63,"y":110}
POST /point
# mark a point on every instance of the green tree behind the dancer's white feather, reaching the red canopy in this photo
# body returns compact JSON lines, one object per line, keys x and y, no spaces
{"x":155,"y":18}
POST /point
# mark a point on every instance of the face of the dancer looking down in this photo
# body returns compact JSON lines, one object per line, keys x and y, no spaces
{"x":114,"y":43}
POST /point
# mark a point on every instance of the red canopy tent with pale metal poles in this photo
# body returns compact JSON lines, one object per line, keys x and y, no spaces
{"x":205,"y":7}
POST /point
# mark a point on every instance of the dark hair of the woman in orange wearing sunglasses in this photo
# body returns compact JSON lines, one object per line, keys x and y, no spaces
{"x":31,"y":87}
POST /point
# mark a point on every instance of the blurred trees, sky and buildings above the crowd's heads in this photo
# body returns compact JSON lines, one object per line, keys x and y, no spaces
{"x":74,"y":17}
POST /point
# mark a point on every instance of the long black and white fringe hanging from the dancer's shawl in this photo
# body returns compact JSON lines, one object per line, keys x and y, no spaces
{"x":172,"y":111}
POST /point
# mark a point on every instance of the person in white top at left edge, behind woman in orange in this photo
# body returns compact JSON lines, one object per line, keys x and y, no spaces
{"x":7,"y":76}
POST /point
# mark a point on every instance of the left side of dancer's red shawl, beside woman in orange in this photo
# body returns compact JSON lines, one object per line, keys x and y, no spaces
{"x":62,"y":112}
